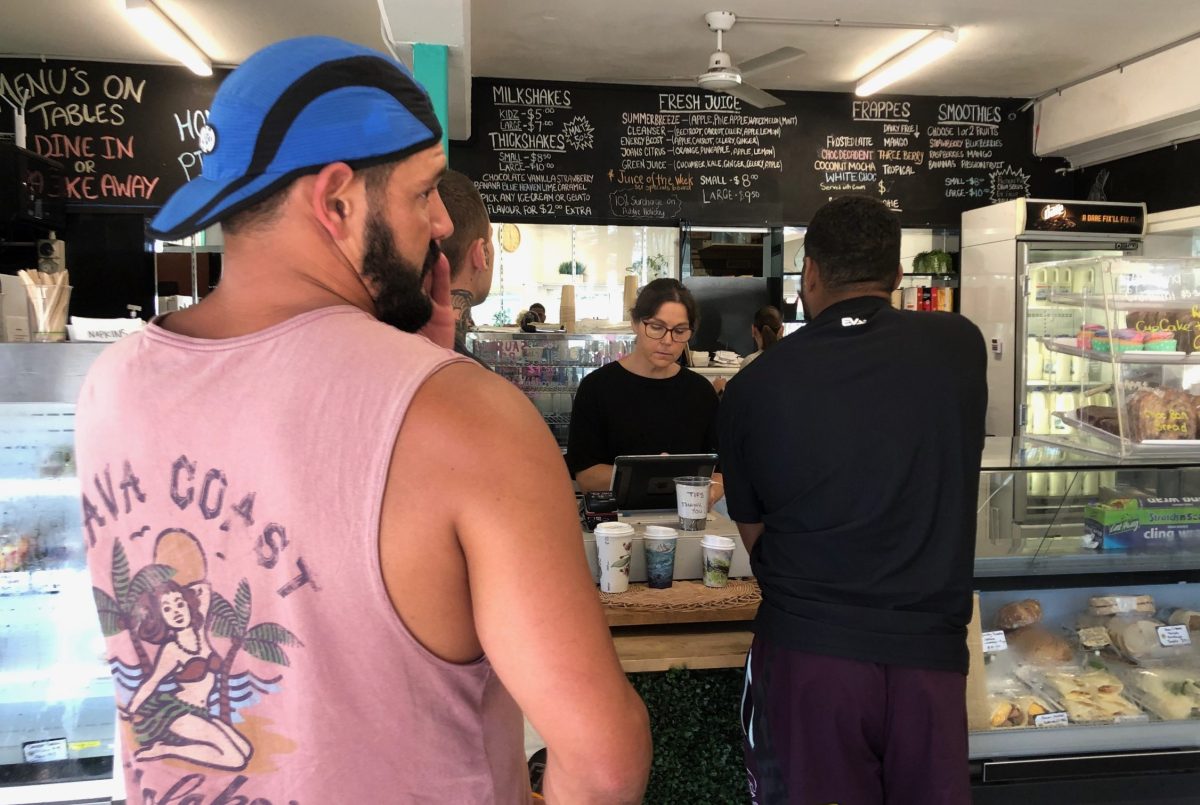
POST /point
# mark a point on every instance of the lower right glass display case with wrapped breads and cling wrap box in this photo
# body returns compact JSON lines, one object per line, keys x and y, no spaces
{"x":1089,"y":638}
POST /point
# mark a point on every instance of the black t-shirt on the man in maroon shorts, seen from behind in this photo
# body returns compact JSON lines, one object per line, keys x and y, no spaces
{"x":857,"y":442}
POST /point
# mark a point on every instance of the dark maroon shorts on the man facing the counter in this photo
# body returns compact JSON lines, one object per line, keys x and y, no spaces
{"x":823,"y":731}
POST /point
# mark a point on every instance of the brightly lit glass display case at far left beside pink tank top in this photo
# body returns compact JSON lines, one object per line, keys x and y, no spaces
{"x":57,"y":712}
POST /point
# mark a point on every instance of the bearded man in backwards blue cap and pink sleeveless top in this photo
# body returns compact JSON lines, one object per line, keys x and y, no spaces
{"x":316,"y":585}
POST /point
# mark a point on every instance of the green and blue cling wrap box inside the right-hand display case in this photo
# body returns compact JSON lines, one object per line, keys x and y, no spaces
{"x":1144,"y":524}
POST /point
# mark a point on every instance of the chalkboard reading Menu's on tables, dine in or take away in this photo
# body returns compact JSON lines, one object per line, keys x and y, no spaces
{"x":125,"y":134}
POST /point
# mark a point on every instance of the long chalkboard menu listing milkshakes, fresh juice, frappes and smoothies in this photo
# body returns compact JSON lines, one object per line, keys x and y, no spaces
{"x":561,"y":153}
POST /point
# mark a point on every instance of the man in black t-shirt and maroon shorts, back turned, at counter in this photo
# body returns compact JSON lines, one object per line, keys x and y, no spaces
{"x":851,"y":456}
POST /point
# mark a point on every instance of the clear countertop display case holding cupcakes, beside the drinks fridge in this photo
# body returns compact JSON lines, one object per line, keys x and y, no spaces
{"x":1117,"y":374}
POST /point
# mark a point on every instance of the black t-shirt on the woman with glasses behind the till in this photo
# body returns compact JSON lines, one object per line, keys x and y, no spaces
{"x":619,"y":413}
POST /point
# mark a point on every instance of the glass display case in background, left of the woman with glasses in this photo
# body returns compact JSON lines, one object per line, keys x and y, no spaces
{"x":549,"y":367}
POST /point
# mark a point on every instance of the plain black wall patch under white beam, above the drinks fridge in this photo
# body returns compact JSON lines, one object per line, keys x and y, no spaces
{"x":1165,"y":179}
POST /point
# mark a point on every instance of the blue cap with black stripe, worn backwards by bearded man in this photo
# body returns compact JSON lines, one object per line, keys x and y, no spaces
{"x":291,"y":110}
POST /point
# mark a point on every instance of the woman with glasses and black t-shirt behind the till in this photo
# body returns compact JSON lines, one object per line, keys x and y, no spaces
{"x":645,"y":404}
